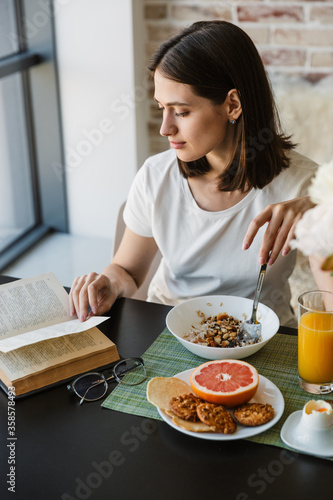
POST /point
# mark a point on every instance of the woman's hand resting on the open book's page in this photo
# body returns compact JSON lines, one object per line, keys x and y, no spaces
{"x":94,"y":290}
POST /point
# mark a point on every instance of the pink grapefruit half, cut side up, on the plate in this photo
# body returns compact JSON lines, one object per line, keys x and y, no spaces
{"x":229,"y":382}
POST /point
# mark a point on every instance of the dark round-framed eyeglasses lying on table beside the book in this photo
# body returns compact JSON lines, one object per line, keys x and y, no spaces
{"x":93,"y":386}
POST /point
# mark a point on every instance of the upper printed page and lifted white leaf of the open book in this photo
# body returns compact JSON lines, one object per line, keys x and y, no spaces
{"x":36,"y":309}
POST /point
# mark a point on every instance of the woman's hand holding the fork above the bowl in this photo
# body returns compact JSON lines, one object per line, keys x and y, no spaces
{"x":282,"y":219}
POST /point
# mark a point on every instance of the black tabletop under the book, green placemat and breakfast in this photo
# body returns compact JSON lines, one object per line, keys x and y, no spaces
{"x":66,"y":451}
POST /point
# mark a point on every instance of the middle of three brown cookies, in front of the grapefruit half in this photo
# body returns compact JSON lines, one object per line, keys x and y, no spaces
{"x":216,"y":417}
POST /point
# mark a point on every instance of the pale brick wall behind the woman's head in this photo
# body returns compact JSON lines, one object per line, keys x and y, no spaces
{"x":294,"y":38}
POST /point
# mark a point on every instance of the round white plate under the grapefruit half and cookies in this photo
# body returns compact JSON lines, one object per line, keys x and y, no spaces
{"x":267,"y":392}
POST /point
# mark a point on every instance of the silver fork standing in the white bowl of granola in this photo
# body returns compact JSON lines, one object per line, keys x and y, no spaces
{"x":250,"y":330}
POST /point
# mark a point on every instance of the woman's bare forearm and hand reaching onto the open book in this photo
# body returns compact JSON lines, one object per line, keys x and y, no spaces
{"x":121,"y":278}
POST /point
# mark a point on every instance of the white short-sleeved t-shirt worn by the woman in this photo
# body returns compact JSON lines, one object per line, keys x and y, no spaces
{"x":202,"y":251}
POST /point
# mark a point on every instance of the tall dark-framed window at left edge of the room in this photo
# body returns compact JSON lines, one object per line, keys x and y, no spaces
{"x":32,"y":192}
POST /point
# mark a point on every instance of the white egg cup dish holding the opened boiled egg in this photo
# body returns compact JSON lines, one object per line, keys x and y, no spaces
{"x":318,"y":443}
